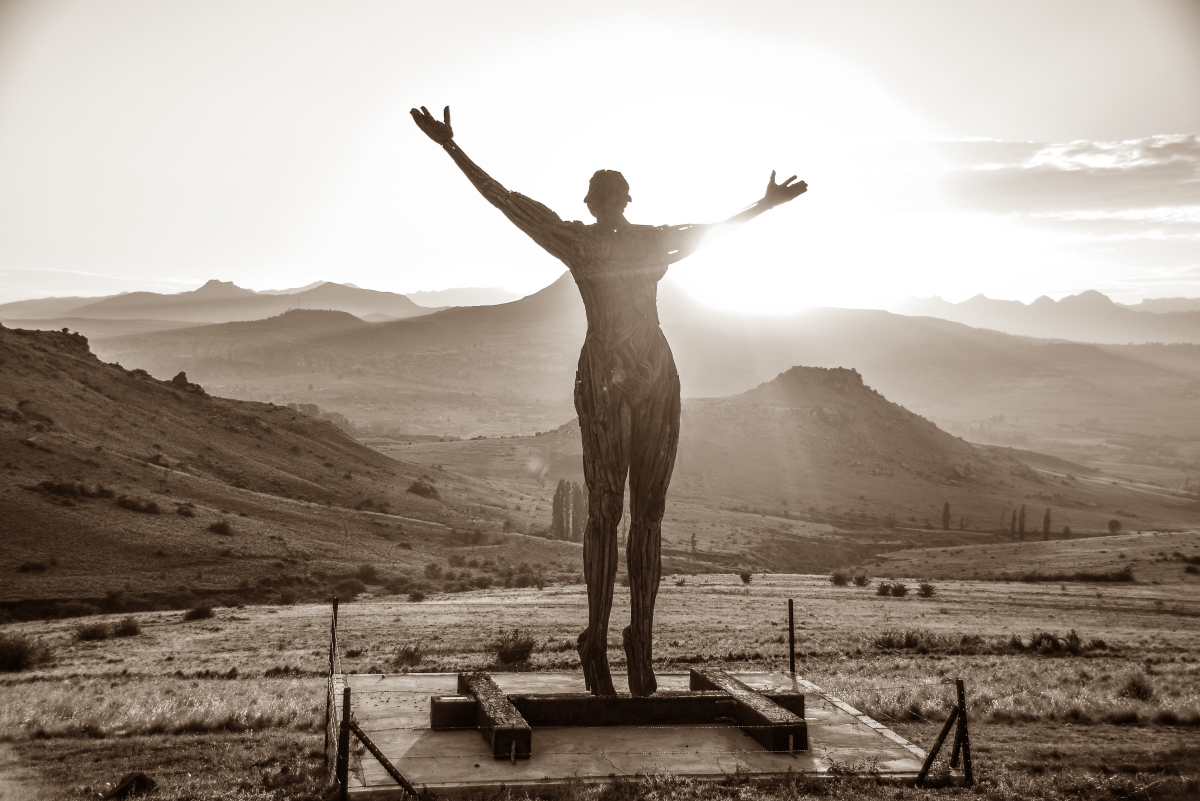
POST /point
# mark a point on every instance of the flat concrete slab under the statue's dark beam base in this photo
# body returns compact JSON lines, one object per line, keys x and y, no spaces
{"x":394,"y":712}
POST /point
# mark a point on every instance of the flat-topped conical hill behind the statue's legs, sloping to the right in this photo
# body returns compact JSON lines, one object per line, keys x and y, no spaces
{"x":809,"y":469}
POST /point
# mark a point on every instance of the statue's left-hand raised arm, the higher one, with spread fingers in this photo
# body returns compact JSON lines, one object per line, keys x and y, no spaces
{"x":535,"y":219}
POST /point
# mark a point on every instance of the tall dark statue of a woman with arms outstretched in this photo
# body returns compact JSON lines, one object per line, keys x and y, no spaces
{"x":627,"y":390}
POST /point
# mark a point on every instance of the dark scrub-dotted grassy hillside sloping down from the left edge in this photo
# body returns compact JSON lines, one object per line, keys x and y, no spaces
{"x":116,"y":483}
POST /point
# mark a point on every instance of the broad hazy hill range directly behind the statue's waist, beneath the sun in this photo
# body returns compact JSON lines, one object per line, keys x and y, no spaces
{"x":509,"y":369}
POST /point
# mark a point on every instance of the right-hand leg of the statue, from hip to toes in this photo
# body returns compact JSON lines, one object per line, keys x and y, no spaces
{"x":652,"y":460}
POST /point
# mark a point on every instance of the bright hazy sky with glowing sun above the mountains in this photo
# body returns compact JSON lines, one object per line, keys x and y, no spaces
{"x":953,"y":147}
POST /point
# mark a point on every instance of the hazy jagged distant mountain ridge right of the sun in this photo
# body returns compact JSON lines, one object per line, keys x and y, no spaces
{"x":1087,"y":317}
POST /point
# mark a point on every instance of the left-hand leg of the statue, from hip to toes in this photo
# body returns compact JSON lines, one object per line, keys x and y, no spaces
{"x":605,"y":426}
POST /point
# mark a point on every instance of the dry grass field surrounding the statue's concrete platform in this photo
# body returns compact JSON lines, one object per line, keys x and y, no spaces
{"x":232,"y":707}
